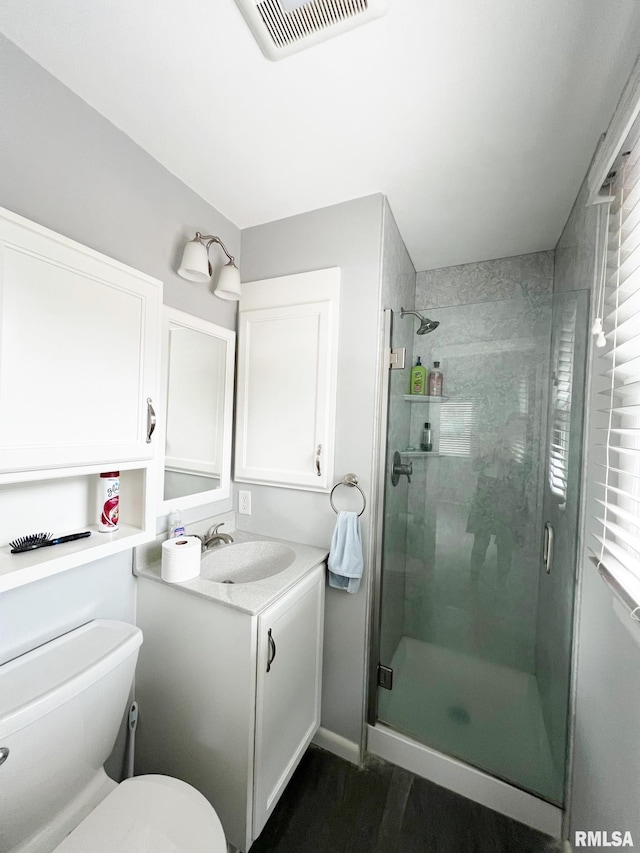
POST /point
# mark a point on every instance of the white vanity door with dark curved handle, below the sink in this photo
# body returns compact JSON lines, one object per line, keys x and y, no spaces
{"x":288,"y":689}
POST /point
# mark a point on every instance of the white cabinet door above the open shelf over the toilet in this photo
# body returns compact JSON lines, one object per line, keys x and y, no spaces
{"x":78,"y":352}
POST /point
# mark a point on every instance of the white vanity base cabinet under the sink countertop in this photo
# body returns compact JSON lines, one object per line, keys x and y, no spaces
{"x":229,"y":701}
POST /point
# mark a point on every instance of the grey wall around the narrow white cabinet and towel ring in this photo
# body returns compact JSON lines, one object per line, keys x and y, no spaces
{"x":348,"y":236}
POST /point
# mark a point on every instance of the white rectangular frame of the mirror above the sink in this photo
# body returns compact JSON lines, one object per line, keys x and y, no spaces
{"x":172,"y":318}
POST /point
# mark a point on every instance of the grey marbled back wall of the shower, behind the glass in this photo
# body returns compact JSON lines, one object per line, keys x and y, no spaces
{"x":493,"y":345}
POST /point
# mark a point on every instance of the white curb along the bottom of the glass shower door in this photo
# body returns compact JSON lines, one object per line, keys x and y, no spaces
{"x":464,"y":780}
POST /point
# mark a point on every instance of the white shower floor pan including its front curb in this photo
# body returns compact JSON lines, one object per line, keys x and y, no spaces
{"x":488,"y":715}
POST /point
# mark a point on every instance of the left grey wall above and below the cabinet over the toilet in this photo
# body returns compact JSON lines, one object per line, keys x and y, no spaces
{"x":65,"y":167}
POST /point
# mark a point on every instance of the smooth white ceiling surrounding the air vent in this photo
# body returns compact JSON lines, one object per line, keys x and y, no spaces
{"x":477,"y":118}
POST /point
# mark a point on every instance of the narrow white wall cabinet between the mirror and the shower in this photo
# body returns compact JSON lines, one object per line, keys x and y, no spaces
{"x":287,"y":380}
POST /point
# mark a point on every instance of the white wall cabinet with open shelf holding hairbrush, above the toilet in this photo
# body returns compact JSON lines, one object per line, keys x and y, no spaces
{"x":79,"y":367}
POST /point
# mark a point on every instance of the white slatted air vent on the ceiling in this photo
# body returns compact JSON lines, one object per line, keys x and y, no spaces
{"x":283,"y":27}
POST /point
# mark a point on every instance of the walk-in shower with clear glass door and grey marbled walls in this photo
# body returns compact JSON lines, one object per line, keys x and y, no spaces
{"x":473,"y":640}
